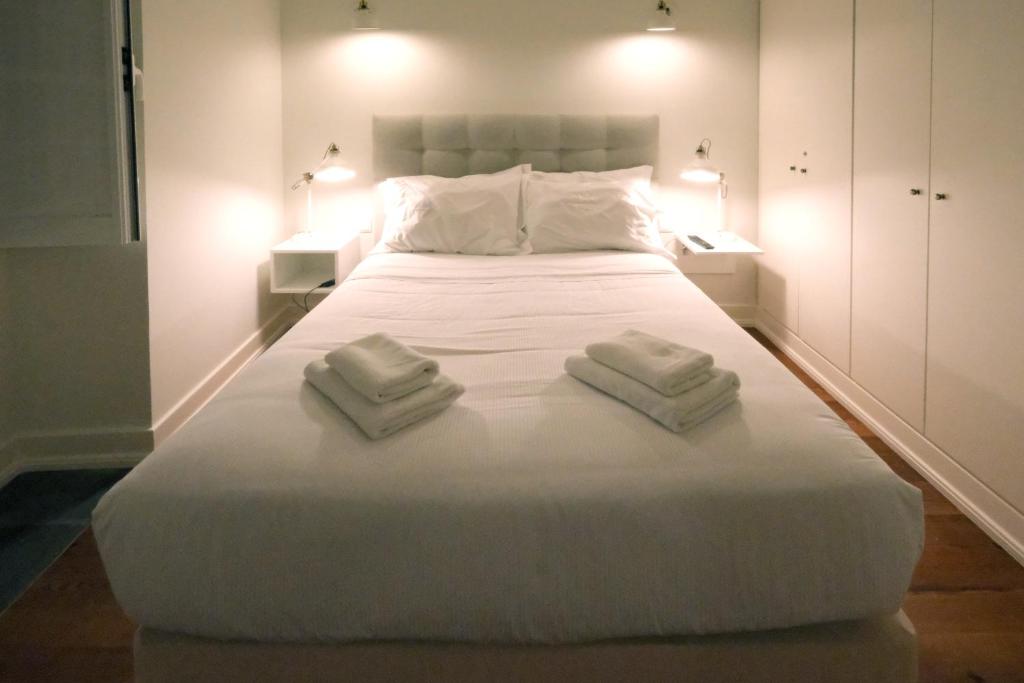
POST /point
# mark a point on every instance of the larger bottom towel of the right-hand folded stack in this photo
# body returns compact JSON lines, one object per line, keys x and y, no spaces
{"x":677,"y":413}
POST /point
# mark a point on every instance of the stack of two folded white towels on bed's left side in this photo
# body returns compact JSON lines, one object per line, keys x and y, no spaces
{"x":382,"y":385}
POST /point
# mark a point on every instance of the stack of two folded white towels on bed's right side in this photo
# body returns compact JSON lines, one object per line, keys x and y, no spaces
{"x":678,"y":387}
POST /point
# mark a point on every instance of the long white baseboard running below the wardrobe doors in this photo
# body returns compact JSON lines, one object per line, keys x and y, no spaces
{"x":1003,"y":523}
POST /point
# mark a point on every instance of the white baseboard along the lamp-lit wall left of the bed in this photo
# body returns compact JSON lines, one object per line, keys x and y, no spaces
{"x":216,"y":381}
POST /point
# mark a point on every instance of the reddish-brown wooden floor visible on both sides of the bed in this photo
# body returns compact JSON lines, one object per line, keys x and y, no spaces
{"x":967,"y":602}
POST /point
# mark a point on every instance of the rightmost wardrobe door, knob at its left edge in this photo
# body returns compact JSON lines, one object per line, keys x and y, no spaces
{"x":975,"y":400}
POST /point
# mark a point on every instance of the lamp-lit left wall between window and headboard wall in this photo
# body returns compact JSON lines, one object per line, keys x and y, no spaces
{"x":215,"y":186}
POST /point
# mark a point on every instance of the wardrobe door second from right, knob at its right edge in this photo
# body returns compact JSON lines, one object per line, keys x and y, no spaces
{"x":891,"y":146}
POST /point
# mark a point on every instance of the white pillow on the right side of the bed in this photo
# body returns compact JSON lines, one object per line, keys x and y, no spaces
{"x":583,"y":216}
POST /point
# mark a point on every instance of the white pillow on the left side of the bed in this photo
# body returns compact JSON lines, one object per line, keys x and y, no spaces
{"x":475,"y":215}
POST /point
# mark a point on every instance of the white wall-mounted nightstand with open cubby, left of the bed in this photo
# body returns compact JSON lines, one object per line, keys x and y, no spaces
{"x":305,"y":262}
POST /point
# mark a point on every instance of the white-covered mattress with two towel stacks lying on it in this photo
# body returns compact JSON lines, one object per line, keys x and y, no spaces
{"x":536,"y":509}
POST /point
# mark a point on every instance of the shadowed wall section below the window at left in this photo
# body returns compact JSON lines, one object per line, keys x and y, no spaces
{"x":79,"y":354}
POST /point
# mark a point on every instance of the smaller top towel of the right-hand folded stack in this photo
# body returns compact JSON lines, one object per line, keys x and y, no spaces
{"x":662,"y":365}
